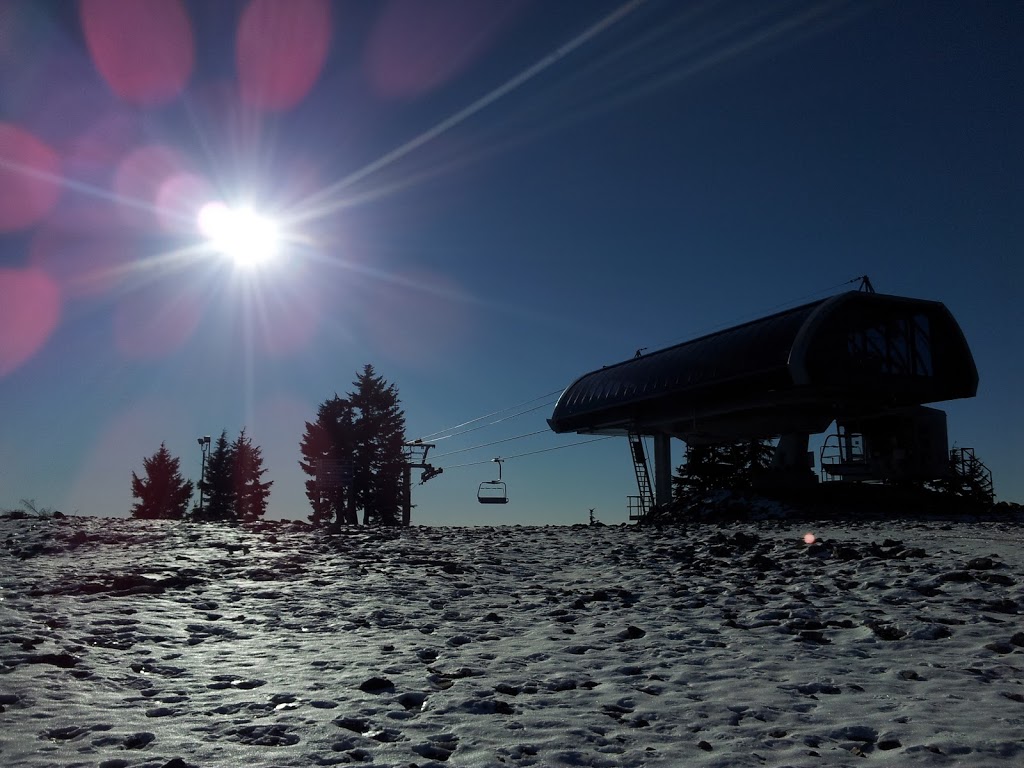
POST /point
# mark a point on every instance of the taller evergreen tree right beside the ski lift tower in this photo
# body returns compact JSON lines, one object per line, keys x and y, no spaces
{"x":379,"y":454}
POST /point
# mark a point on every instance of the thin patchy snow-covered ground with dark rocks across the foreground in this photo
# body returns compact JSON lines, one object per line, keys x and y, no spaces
{"x":147,"y":644}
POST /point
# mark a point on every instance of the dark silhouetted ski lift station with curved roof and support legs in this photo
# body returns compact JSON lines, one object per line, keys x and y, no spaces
{"x":868,"y":362}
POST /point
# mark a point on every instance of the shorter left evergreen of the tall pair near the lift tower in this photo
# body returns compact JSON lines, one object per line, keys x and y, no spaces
{"x":329,"y":443}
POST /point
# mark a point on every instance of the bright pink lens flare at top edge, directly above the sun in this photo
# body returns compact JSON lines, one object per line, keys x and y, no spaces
{"x":281,"y":50}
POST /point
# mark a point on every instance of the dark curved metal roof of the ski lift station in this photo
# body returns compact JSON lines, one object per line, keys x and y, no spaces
{"x":792,"y":371}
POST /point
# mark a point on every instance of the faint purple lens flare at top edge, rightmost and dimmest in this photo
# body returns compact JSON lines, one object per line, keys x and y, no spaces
{"x":418,"y":47}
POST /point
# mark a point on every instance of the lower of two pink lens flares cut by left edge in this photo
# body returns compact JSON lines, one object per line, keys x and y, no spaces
{"x":30,"y":311}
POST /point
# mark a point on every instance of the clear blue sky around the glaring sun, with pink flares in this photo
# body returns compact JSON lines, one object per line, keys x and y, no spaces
{"x":485,"y":199}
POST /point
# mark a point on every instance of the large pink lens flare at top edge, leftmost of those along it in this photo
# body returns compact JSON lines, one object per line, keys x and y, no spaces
{"x":143,"y":49}
